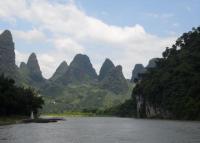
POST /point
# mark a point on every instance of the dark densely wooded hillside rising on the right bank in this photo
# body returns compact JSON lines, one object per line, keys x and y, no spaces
{"x":174,"y":84}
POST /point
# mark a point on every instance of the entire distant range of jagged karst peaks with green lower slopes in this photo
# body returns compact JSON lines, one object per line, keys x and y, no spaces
{"x":72,"y":87}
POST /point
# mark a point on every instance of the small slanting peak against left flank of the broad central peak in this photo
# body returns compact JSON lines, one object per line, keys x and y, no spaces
{"x":60,"y":71}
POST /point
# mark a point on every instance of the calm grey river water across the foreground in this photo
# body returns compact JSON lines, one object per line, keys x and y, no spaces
{"x":103,"y":130}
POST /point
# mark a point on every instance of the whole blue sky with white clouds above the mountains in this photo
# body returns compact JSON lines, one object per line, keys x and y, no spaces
{"x":126,"y":31}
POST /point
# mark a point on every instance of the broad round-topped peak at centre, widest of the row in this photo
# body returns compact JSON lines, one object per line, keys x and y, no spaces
{"x":80,"y":70}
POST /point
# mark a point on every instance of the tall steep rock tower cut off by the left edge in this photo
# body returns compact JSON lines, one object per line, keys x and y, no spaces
{"x":7,"y":55}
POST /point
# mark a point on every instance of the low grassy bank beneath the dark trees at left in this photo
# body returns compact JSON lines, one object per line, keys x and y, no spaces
{"x":11,"y":120}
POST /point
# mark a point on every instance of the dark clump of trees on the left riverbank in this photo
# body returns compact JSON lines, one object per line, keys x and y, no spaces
{"x":17,"y":100}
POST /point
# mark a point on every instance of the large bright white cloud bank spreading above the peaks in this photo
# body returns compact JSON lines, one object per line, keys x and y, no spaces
{"x":70,"y":30}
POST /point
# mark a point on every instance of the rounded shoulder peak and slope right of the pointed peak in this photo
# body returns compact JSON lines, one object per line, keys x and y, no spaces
{"x":115,"y":81}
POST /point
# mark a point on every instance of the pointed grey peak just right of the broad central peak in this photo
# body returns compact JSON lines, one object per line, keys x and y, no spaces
{"x":106,"y":67}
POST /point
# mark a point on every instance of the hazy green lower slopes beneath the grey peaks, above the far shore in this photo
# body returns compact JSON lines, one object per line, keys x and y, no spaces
{"x":79,"y":97}
